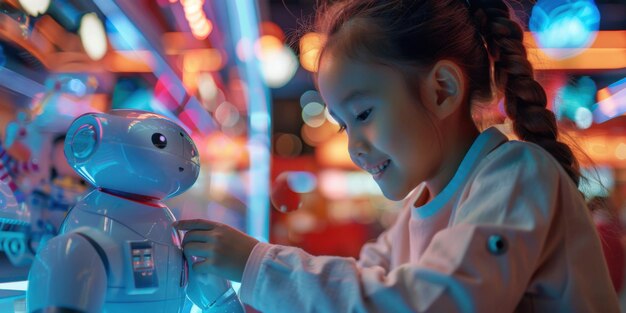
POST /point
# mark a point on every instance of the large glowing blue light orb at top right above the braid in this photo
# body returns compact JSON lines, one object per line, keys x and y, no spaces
{"x":564,"y":28}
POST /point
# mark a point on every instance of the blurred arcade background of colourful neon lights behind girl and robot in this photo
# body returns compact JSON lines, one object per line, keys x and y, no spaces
{"x":237,"y":74}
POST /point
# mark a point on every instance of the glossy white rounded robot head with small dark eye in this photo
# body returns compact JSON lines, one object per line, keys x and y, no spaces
{"x":134,"y":152}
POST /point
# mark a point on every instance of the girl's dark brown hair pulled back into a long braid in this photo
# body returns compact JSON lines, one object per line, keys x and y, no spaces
{"x":478,"y":35}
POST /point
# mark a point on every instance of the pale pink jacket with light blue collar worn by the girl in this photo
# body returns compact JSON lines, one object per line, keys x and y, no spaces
{"x":509,"y":233}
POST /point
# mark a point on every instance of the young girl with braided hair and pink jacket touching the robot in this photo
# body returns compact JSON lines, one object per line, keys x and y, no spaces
{"x":489,"y":225}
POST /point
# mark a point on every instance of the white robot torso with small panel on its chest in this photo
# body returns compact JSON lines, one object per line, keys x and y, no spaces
{"x":141,"y":251}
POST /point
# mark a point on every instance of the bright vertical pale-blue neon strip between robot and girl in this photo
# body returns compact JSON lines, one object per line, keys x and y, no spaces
{"x":244,"y":25}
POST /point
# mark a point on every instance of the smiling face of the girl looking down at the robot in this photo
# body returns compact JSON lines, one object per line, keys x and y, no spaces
{"x":391,"y":135}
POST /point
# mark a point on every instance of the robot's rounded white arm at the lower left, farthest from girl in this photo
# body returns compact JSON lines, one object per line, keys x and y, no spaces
{"x":68,"y":275}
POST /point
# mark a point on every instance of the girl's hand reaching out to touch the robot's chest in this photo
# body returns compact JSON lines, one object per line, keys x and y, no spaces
{"x":217,"y":249}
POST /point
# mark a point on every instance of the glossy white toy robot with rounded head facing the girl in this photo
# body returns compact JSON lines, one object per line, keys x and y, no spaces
{"x":117,"y":251}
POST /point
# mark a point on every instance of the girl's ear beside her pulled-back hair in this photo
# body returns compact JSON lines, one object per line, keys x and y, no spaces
{"x":444,"y":89}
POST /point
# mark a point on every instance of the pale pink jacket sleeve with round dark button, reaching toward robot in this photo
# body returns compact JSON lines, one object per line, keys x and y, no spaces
{"x":481,"y":263}
